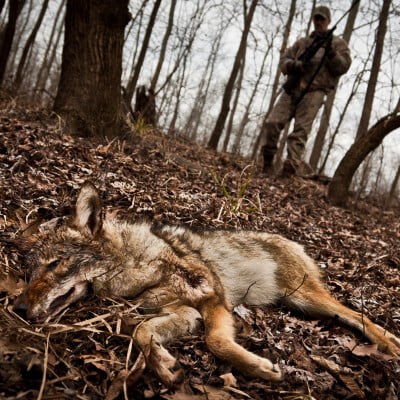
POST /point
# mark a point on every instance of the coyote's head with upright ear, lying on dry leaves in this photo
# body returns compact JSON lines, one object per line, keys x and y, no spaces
{"x":65,"y":260}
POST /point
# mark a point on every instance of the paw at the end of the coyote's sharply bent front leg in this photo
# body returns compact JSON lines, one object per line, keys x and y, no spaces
{"x":165,"y":366}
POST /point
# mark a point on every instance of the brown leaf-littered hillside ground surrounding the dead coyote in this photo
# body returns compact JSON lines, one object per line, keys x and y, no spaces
{"x":81,"y":355}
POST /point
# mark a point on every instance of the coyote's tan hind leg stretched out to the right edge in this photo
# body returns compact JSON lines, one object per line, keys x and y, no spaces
{"x":314,"y":300}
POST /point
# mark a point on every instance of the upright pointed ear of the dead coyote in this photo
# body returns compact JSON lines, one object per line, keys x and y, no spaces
{"x":88,"y":209}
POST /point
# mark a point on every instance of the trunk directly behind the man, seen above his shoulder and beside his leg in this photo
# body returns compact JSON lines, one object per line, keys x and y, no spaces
{"x":326,"y":115}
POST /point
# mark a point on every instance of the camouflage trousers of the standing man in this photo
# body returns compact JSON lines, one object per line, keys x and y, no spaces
{"x":304,"y":115}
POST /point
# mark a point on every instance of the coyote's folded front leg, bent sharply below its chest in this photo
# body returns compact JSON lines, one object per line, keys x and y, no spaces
{"x":151,"y":335}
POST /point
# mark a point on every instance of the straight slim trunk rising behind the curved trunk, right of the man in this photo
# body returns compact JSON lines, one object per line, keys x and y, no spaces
{"x":369,"y":96}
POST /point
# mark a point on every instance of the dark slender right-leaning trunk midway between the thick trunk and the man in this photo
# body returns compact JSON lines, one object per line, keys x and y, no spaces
{"x":219,"y":126}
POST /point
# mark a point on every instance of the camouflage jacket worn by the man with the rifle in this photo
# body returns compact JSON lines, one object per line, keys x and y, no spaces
{"x":328,"y":76}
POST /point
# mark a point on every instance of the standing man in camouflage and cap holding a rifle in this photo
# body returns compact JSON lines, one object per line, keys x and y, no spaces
{"x":315,"y":78}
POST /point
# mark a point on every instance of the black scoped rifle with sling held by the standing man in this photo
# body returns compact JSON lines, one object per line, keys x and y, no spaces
{"x":319,"y":41}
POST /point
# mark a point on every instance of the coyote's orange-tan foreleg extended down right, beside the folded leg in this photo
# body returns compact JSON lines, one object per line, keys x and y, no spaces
{"x":219,"y":332}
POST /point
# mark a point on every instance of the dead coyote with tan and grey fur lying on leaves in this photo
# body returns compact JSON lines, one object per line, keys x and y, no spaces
{"x":185,"y":275}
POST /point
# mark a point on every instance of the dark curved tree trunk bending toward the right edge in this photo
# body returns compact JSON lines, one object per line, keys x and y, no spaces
{"x":338,"y":191}
